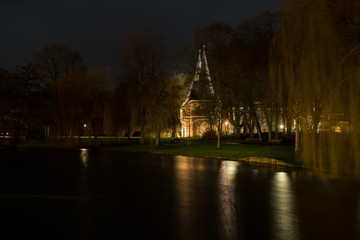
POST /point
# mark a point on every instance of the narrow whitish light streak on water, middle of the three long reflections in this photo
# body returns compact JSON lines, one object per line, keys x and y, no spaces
{"x":226,"y":195}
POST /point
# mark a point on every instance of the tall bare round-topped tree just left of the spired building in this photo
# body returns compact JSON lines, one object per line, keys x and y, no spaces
{"x":142,"y":66}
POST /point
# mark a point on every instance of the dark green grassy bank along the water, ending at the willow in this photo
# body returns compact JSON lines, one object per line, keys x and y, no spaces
{"x":230,"y":149}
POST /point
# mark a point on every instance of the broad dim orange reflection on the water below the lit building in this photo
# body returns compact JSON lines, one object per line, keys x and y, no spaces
{"x":195,"y":202}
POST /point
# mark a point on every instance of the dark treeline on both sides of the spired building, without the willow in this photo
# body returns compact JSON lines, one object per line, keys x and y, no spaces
{"x":58,"y":96}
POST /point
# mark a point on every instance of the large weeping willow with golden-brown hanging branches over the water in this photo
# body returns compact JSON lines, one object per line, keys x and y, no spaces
{"x":315,"y":74}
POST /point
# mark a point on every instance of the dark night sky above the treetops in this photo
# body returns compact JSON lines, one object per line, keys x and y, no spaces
{"x":96,"y":28}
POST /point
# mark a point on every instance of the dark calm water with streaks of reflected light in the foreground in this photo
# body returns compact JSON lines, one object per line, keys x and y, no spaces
{"x":99,"y":194}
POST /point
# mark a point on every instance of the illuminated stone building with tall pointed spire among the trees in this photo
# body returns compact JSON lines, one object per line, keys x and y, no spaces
{"x":194,"y":121}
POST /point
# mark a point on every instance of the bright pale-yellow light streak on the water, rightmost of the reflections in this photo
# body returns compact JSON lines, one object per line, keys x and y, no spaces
{"x":284,"y":207}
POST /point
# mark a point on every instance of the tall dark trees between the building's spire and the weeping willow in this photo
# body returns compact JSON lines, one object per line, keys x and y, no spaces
{"x":238,"y":59}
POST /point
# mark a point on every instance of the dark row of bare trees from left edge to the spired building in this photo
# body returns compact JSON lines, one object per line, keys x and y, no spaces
{"x":58,"y":96}
